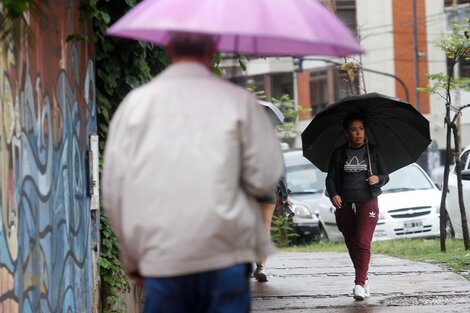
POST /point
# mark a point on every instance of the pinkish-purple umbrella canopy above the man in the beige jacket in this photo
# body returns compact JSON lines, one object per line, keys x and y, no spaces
{"x":261,"y":27}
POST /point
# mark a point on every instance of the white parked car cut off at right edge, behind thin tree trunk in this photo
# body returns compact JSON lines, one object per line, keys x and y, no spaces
{"x":452,"y":200}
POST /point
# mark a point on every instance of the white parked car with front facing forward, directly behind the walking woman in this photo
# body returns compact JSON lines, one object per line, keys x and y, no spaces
{"x":409,"y":207}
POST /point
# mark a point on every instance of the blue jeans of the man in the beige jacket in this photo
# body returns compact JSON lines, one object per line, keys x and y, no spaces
{"x":219,"y":291}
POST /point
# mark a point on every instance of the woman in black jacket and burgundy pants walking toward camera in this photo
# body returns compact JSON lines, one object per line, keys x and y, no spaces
{"x":355,"y":175}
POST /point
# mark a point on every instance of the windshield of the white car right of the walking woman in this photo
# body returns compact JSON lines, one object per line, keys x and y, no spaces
{"x":407,"y":179}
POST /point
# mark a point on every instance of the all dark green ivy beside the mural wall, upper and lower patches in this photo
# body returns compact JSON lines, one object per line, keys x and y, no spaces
{"x":121,"y":65}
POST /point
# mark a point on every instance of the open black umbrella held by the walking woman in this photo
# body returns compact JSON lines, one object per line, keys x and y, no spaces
{"x":395,"y":126}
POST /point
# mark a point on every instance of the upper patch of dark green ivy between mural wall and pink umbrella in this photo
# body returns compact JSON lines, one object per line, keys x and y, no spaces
{"x":121,"y":64}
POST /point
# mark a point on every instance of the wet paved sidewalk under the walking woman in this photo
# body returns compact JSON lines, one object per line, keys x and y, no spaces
{"x":323,"y":282}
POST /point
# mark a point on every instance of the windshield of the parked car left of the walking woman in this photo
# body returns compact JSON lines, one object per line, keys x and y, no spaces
{"x":305,"y":178}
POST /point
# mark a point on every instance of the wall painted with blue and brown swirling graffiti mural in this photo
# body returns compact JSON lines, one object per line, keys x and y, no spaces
{"x":47,"y":112}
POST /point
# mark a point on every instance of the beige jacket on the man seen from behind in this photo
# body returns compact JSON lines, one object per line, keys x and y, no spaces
{"x":185,"y":156}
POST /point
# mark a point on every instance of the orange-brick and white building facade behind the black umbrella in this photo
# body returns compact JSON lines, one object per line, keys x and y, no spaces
{"x":398,"y":40}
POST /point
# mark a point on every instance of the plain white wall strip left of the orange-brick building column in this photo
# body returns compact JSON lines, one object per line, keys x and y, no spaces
{"x":374,"y":21}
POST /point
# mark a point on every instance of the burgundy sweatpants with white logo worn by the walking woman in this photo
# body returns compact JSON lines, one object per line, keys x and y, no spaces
{"x":357,"y":222}
